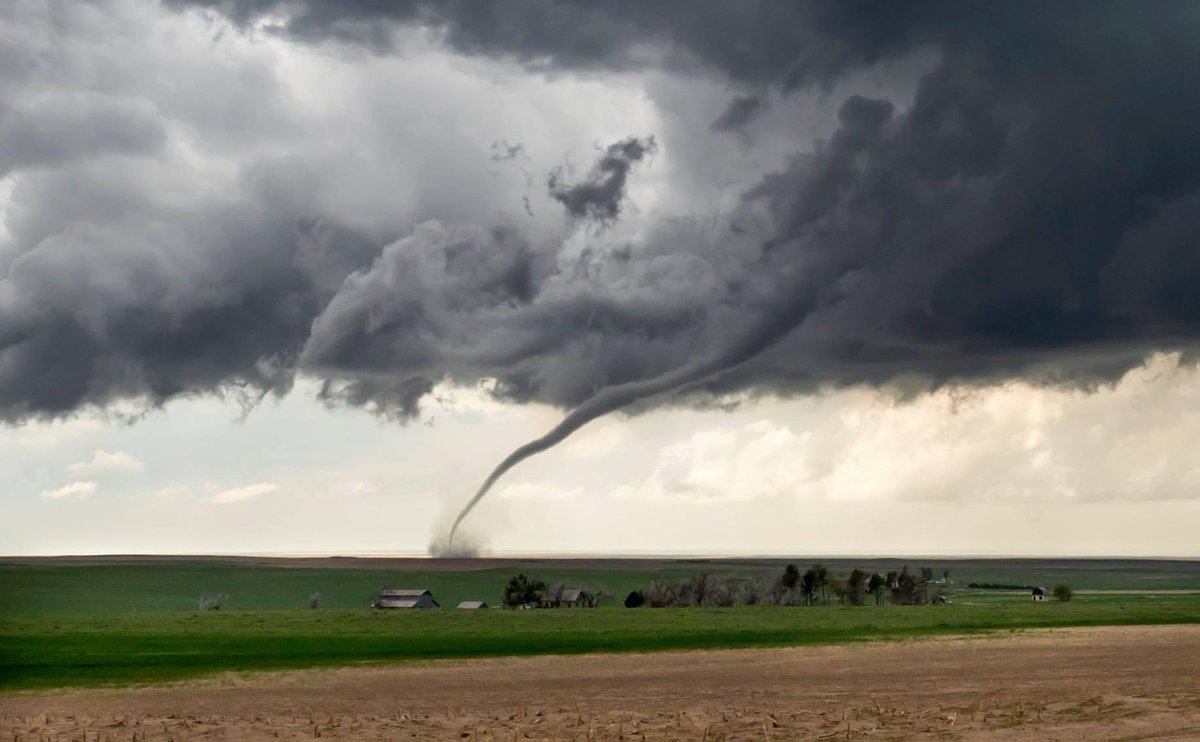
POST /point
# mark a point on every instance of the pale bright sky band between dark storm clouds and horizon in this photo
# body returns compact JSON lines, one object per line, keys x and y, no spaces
{"x":1004,"y":471}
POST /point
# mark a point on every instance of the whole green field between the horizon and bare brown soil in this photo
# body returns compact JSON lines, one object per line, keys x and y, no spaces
{"x":128,"y":624}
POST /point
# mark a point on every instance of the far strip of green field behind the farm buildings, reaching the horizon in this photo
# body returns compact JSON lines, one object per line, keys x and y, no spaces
{"x":175,"y":587}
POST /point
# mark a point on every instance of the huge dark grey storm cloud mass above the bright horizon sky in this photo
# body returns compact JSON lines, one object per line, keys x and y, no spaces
{"x":1031,"y":213}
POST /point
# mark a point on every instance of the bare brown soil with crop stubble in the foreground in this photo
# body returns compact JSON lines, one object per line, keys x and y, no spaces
{"x":1102,"y":684}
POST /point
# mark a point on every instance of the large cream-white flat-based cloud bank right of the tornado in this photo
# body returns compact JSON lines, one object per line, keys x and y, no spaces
{"x":1009,"y":444}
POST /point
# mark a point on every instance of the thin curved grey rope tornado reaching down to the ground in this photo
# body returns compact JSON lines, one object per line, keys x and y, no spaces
{"x":775,"y":326}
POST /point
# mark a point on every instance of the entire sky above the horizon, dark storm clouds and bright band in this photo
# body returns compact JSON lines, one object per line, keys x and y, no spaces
{"x":627,"y":278}
